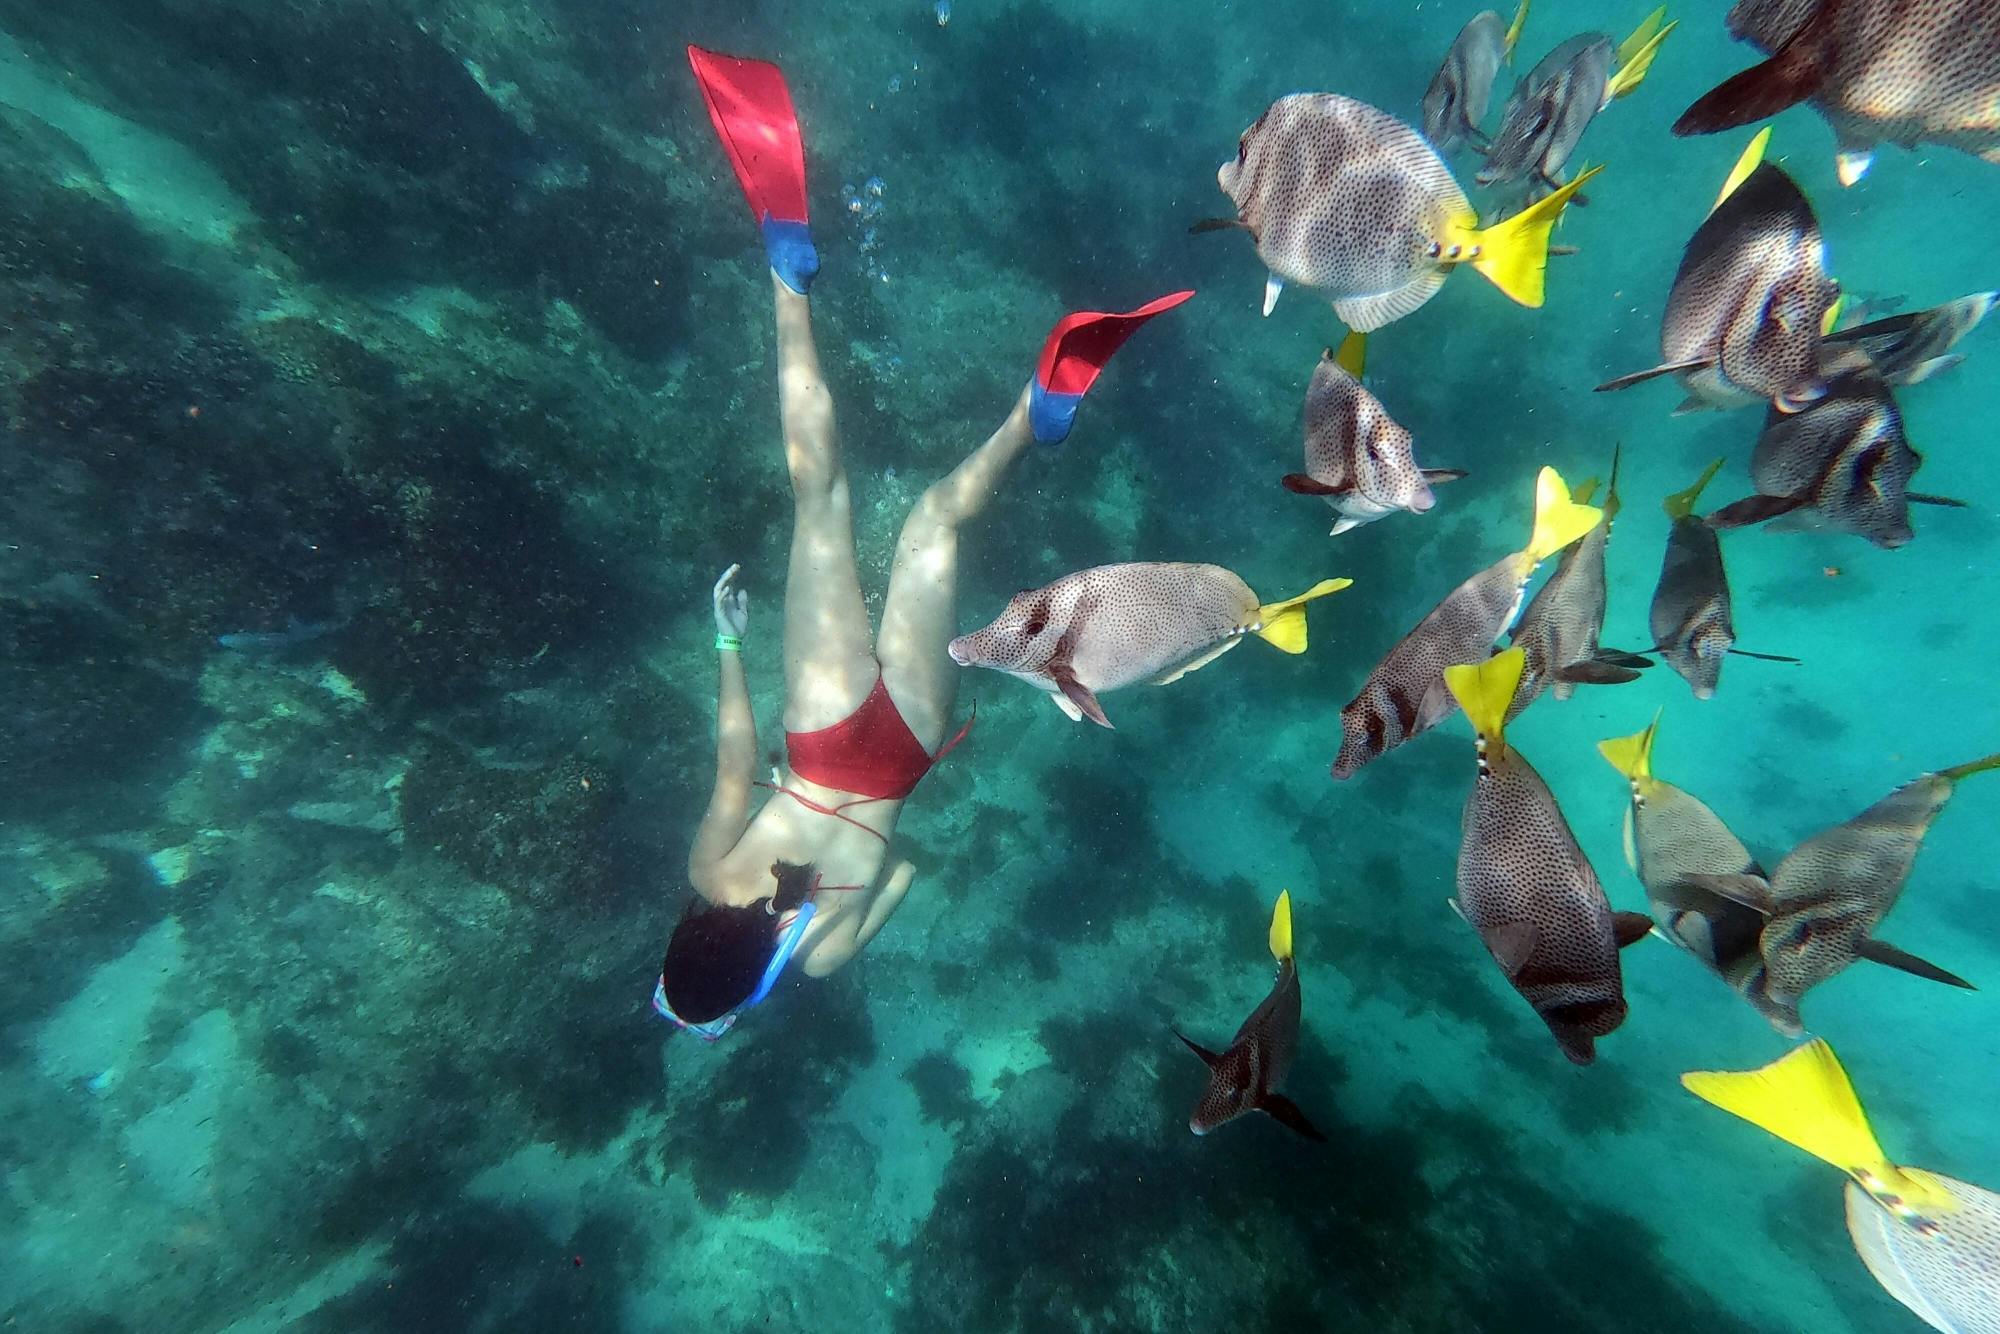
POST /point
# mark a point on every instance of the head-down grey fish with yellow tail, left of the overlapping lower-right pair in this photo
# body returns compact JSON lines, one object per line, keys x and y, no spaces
{"x":1671,"y":837}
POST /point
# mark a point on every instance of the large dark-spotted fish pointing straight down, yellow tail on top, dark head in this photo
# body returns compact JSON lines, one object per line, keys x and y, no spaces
{"x":1525,"y":885}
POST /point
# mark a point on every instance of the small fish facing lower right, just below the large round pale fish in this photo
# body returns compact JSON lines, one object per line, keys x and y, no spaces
{"x":1357,"y":455}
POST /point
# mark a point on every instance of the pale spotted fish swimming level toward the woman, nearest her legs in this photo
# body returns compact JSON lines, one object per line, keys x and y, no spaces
{"x":1113,"y":627}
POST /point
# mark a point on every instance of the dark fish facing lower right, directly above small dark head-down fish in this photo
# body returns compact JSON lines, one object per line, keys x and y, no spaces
{"x":1841,"y":465}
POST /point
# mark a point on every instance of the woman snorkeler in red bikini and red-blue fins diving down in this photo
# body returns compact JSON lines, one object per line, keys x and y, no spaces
{"x":803,"y":881}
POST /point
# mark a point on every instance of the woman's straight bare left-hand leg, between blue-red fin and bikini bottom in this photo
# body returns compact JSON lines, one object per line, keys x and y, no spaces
{"x":829,"y":669}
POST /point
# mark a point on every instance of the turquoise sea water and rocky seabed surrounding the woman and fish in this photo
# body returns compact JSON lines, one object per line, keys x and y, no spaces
{"x":441,"y":329}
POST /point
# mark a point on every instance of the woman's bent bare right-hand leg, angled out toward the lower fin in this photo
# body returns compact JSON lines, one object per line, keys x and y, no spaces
{"x":921,"y":613}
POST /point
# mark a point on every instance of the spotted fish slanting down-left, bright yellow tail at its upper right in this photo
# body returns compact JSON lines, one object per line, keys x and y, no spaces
{"x":1407,"y":695}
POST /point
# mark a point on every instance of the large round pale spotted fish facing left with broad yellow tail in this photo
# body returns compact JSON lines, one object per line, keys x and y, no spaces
{"x":1351,"y":201}
